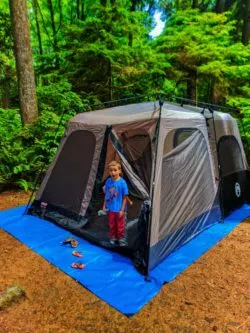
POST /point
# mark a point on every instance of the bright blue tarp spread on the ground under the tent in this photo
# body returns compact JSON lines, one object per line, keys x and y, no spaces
{"x":109,"y":275}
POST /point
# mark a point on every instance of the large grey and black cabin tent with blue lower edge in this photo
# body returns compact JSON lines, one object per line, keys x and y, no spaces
{"x":185,"y":167}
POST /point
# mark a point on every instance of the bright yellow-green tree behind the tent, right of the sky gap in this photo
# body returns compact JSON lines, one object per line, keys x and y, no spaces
{"x":196,"y":46}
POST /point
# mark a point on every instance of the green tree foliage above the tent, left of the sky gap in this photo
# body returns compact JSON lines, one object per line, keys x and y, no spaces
{"x":110,"y":54}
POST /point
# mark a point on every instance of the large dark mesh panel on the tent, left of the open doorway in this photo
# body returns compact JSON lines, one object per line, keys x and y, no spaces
{"x":69,"y":177}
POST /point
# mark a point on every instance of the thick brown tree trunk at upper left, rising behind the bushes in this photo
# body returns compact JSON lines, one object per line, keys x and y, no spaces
{"x":23,"y":56}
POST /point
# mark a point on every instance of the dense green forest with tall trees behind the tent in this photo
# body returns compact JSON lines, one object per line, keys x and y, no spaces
{"x":61,"y":57}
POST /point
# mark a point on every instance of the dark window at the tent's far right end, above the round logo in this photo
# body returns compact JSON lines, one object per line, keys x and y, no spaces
{"x":230,"y":155}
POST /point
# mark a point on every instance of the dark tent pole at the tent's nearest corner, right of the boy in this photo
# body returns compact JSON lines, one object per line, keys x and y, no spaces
{"x":157,"y":131}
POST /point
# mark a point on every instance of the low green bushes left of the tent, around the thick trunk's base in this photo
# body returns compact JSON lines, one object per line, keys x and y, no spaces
{"x":25,"y":151}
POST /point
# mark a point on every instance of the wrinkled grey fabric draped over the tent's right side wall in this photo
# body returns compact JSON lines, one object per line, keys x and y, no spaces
{"x":191,"y":178}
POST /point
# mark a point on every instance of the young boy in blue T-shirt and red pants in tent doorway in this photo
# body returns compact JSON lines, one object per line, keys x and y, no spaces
{"x":116,"y":192}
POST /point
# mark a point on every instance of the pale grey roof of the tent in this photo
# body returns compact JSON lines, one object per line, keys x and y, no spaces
{"x":140,"y":111}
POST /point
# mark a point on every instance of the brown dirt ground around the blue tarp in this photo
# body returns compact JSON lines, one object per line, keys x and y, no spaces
{"x":212,"y":295}
